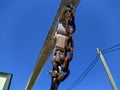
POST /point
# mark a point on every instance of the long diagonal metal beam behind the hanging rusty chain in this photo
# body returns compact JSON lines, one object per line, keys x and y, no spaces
{"x":48,"y":46}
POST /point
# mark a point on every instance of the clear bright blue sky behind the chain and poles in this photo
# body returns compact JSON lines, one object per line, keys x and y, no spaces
{"x":24,"y":25}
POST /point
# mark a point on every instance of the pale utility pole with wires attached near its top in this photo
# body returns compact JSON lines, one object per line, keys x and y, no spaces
{"x":107,"y":70}
